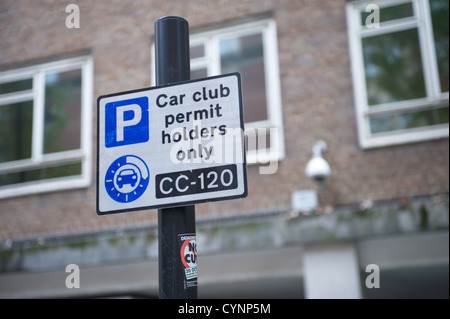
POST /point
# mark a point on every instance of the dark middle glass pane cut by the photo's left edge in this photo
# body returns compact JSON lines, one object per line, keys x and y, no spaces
{"x":16,"y":131}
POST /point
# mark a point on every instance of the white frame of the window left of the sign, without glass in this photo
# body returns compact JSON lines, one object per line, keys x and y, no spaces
{"x":38,"y":158}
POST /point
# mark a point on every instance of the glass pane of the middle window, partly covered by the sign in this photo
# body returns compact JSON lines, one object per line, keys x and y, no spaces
{"x":245,"y":55}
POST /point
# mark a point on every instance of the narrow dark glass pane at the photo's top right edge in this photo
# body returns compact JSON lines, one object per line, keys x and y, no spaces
{"x":439,"y":16}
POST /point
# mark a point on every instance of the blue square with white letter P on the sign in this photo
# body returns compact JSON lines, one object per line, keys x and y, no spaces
{"x":126,"y":122}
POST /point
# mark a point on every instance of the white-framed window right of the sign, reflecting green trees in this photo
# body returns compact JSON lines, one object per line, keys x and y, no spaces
{"x":400,"y":70}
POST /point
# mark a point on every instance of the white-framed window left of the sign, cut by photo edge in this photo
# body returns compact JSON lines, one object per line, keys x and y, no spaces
{"x":45,"y":127}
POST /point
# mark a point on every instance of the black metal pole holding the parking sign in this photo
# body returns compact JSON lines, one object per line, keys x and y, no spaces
{"x":177,"y":223}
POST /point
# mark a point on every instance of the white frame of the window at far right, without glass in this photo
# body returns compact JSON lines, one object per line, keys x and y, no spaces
{"x":356,"y":32}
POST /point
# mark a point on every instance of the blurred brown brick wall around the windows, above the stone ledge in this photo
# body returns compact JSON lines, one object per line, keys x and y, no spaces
{"x":317,"y":103}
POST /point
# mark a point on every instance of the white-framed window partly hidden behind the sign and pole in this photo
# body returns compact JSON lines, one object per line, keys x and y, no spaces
{"x":251,"y":50}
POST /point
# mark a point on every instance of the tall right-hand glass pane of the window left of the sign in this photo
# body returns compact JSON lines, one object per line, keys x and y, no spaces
{"x":62,"y":111}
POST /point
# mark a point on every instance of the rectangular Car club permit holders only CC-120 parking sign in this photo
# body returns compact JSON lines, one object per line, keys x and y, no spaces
{"x":172,"y":145}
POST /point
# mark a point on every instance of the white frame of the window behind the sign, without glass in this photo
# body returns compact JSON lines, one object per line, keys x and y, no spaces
{"x":211,"y":61}
